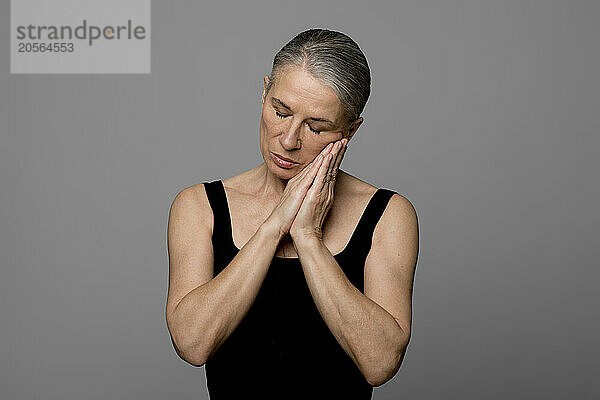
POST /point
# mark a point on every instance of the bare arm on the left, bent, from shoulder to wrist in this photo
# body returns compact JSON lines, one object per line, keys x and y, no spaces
{"x":203,"y":311}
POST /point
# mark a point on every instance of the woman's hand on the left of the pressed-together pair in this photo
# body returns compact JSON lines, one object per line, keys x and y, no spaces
{"x":292,"y":197}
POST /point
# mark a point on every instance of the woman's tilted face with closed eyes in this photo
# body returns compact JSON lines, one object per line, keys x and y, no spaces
{"x":300,"y":116}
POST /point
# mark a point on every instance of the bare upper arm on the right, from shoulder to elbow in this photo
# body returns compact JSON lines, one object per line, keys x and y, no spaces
{"x":391,"y":262}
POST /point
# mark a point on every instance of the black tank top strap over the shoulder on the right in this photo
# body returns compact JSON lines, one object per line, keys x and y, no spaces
{"x":361,"y":240}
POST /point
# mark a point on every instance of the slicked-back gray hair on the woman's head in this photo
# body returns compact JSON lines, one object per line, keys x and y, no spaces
{"x":333,"y":58}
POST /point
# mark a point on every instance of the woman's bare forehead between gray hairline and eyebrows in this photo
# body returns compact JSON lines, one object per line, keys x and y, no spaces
{"x":303,"y":92}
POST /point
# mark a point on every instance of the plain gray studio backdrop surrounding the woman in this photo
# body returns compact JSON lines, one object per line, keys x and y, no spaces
{"x":484,"y":114}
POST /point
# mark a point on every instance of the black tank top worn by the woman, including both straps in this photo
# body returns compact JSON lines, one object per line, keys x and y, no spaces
{"x":283,"y":349}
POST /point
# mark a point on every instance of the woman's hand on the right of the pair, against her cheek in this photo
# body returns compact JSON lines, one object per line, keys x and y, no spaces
{"x":319,"y":197}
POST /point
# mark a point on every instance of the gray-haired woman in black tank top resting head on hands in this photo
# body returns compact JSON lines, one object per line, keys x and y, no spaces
{"x":294,"y":279}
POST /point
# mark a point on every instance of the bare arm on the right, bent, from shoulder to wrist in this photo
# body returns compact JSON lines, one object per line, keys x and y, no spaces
{"x":373,"y":328}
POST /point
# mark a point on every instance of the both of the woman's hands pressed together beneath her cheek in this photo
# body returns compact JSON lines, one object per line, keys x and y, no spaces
{"x":308,"y":196}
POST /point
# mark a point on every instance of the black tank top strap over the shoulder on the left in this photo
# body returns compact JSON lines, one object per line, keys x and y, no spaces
{"x":222,"y":236}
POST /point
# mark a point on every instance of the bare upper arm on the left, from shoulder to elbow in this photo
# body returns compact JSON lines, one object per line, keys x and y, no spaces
{"x":189,"y":242}
